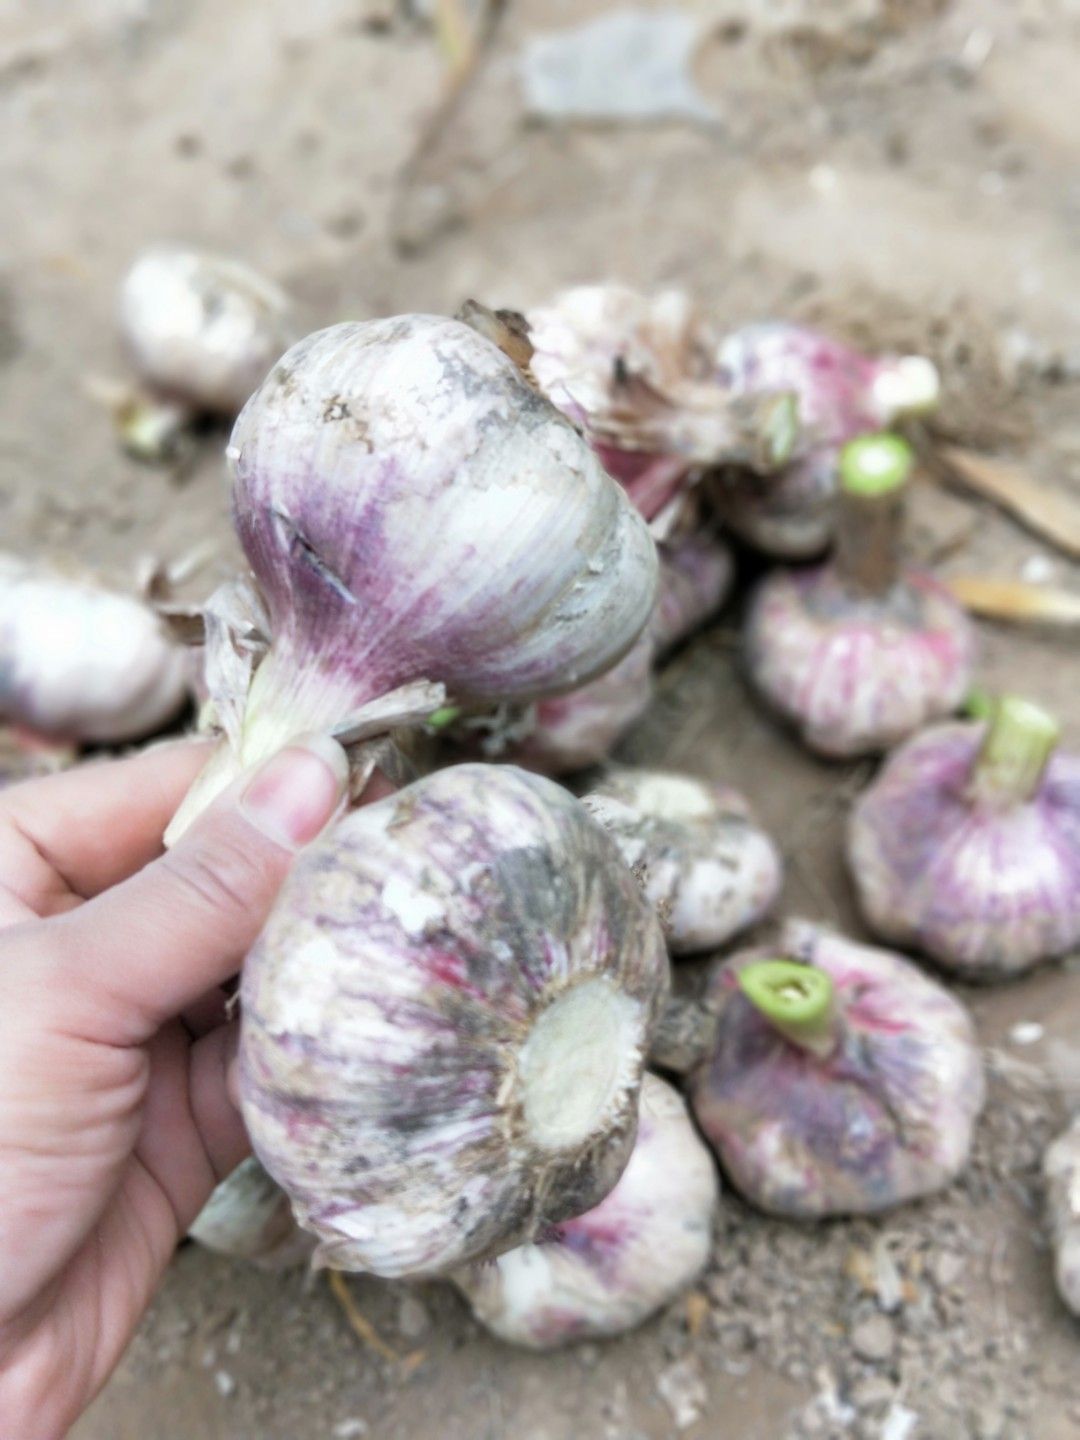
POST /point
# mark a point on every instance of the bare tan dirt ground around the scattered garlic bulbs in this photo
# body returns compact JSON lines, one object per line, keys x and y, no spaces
{"x":905,"y":171}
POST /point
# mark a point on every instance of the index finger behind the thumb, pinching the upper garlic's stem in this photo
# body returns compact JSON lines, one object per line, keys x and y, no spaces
{"x":67,"y":837}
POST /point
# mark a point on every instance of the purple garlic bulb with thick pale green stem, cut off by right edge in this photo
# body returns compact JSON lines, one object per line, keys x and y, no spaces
{"x":967,"y":846}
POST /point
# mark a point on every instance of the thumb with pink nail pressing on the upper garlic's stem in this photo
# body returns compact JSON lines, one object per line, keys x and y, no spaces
{"x":182,"y":925}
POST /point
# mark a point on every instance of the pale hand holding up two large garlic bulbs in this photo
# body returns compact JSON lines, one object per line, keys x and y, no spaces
{"x":117,"y":1059}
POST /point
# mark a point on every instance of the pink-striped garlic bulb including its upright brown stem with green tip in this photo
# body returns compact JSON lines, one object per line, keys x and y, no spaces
{"x":859,"y":653}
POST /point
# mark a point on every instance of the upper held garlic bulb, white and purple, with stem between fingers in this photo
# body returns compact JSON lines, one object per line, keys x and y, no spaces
{"x":423,"y":525}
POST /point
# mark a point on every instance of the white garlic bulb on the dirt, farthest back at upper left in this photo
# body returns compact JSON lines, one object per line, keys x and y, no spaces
{"x":201,"y":328}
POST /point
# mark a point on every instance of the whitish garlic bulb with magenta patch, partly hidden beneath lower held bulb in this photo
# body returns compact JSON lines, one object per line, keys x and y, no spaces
{"x":610,"y":1269}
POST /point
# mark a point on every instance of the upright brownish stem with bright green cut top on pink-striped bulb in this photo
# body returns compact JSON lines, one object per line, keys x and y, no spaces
{"x":873,"y":472}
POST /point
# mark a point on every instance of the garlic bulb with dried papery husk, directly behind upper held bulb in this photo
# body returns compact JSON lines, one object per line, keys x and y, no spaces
{"x":636,"y":372}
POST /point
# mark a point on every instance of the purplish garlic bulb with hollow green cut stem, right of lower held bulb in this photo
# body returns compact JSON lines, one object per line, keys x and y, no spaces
{"x":843,"y":1081}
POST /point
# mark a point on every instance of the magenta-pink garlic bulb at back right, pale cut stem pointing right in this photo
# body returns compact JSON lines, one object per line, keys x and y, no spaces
{"x":842,"y":394}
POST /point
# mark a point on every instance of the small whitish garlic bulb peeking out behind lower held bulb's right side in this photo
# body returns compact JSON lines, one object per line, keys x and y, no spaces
{"x":701,"y":858}
